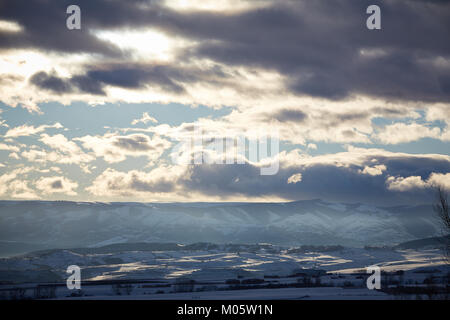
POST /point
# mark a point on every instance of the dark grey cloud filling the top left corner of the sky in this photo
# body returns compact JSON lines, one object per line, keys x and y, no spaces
{"x":44,"y":24}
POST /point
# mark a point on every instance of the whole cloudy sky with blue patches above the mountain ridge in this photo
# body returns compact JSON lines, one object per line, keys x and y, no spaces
{"x":96,"y":114}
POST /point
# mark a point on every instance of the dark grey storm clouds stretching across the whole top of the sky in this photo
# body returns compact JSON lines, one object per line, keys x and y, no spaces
{"x":316,"y":45}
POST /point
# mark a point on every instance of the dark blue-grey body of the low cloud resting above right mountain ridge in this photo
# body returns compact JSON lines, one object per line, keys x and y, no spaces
{"x":320,"y":180}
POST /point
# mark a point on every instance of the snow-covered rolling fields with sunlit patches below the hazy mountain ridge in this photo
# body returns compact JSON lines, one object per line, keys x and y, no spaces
{"x":224,"y":272}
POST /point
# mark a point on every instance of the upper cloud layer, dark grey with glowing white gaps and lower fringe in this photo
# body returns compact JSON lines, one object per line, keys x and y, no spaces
{"x":300,"y":44}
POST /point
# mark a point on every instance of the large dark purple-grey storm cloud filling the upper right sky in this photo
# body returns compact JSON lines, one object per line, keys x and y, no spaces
{"x":317,"y":44}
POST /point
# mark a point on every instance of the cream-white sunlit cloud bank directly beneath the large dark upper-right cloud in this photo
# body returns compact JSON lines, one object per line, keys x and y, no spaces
{"x":315,"y":127}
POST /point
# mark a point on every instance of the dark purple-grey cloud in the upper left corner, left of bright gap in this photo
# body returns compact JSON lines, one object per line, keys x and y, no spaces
{"x":40,"y":19}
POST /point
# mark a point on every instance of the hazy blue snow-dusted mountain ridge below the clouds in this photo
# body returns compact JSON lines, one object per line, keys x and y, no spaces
{"x":33,"y":225}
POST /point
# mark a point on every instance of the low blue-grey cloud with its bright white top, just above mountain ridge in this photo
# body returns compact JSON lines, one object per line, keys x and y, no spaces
{"x":336,"y":177}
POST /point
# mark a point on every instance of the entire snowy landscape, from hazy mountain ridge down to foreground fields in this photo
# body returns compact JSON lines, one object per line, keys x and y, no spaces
{"x":135,"y":250}
